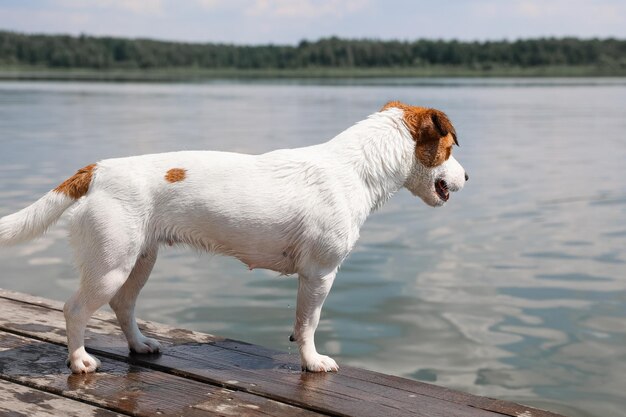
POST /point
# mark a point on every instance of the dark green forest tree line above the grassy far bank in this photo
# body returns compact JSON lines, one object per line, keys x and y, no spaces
{"x":61,"y":51}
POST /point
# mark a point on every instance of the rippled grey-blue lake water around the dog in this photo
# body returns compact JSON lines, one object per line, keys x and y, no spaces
{"x":516,"y":289}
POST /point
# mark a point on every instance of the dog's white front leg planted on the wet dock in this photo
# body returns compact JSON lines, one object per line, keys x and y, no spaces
{"x":311,"y":295}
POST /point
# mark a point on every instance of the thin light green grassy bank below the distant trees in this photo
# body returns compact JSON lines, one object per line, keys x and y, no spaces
{"x":202,"y":74}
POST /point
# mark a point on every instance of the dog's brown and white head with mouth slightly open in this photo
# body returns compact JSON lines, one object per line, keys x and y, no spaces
{"x":435,"y":172}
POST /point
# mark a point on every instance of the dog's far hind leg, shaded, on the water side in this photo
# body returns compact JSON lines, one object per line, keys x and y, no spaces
{"x":123,"y":303}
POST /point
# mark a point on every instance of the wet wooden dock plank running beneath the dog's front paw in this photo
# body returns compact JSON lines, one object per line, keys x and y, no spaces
{"x":276,"y":378}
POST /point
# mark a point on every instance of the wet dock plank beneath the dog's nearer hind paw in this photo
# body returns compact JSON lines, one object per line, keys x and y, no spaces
{"x":126,"y":388}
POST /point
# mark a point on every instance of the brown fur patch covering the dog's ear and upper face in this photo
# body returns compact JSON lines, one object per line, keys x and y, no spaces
{"x":432,"y":131}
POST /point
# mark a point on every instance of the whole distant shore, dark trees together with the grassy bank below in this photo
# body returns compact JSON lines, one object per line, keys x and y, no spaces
{"x":90,"y":58}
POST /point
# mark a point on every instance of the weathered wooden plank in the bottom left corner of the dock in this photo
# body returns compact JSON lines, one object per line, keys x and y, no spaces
{"x":21,"y":401}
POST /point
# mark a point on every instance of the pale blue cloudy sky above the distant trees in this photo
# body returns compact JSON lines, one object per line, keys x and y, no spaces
{"x":289,"y":21}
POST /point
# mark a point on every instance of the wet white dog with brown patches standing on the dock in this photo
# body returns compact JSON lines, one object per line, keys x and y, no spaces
{"x":293,"y":211}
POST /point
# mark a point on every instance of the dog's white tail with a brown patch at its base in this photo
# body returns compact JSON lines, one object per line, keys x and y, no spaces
{"x":35,"y":219}
